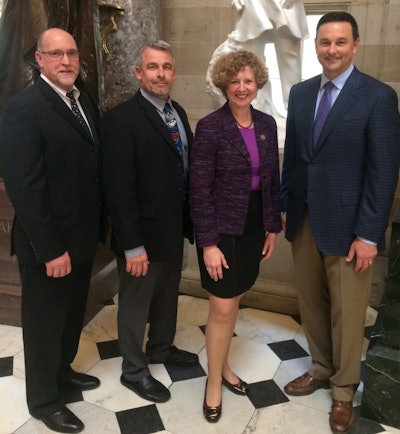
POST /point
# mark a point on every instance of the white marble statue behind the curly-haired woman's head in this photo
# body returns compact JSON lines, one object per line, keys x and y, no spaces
{"x":282,"y":22}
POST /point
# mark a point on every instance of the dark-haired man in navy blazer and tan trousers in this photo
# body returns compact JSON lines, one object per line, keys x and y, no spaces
{"x":337,"y":192}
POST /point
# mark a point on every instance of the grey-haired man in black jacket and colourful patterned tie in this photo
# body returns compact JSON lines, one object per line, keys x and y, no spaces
{"x":145,"y":178}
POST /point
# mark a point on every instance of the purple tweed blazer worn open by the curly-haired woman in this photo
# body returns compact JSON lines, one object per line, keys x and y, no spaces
{"x":220,"y":176}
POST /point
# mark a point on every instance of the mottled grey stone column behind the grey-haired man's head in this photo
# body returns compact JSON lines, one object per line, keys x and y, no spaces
{"x":133,"y":23}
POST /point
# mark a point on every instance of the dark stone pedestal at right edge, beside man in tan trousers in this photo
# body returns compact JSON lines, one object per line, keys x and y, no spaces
{"x":381,"y":396}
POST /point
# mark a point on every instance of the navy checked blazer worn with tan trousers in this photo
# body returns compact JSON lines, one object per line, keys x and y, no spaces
{"x":348,"y":179}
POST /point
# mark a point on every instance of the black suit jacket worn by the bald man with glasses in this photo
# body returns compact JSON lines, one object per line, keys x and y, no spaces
{"x":50,"y":169}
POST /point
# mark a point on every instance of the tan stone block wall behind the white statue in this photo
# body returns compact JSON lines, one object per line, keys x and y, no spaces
{"x":196,"y":28}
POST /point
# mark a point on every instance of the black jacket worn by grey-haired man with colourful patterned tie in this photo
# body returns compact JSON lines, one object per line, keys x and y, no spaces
{"x":143,"y":179}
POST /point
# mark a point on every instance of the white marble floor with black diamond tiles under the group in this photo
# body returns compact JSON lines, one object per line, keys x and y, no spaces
{"x":268,"y":350}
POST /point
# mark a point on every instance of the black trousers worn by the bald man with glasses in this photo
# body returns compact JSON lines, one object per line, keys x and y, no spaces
{"x":52,"y":313}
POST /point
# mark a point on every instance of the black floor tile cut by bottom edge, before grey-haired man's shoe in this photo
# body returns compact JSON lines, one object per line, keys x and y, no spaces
{"x":142,"y":420}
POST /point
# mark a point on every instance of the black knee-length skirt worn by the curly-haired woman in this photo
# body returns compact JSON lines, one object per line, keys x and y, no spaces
{"x":242,"y":253}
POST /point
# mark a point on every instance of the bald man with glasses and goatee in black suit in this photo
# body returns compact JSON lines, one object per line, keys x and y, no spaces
{"x":50,"y":168}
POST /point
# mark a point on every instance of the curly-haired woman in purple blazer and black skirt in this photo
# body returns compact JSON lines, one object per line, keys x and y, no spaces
{"x":234,"y":196}
